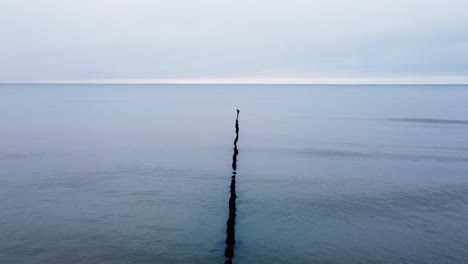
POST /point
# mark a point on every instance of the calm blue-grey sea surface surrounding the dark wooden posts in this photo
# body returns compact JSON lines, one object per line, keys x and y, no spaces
{"x":325,"y":174}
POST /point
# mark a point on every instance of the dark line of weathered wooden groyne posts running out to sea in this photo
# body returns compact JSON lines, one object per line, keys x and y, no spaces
{"x":231,"y":222}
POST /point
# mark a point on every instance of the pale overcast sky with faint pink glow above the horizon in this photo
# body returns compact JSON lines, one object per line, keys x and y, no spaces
{"x":224,"y":41}
